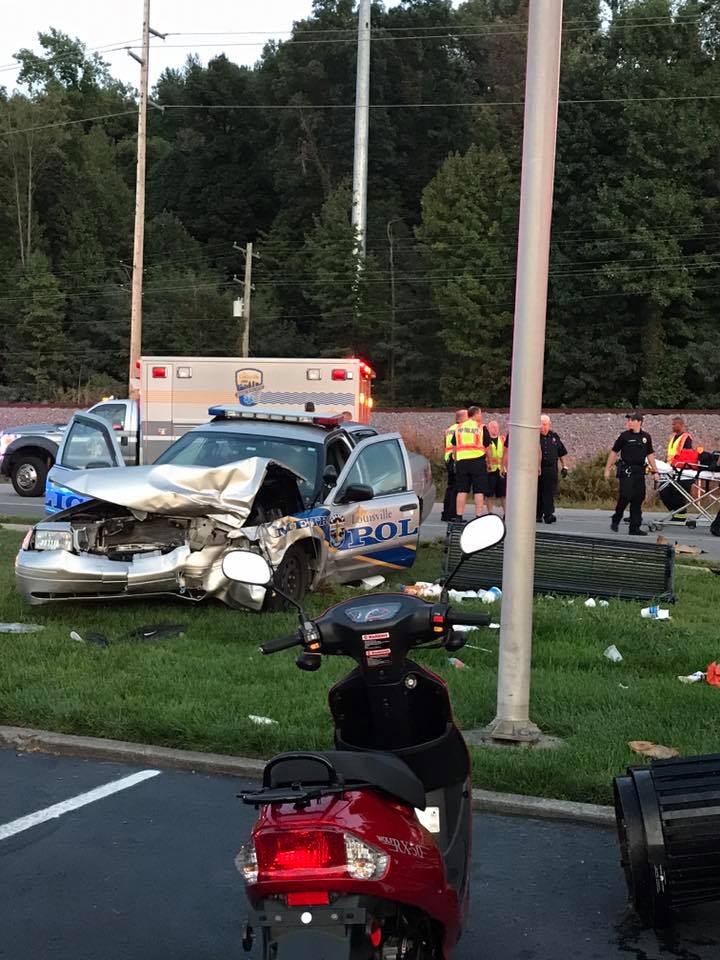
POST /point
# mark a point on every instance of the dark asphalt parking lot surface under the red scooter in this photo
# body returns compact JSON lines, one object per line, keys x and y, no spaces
{"x":148,"y":873}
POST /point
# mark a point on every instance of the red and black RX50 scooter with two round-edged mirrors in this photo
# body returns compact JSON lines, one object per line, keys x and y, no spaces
{"x":362,"y":852}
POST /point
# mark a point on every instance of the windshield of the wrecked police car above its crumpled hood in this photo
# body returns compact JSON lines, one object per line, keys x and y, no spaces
{"x":213,"y":449}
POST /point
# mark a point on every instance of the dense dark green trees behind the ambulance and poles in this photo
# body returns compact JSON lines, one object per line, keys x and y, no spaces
{"x":264,"y":153}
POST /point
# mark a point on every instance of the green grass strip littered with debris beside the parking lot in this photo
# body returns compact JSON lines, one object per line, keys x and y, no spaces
{"x":196,"y":691}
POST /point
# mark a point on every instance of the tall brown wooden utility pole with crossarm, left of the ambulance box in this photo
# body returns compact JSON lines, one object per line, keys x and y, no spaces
{"x":139,"y":239}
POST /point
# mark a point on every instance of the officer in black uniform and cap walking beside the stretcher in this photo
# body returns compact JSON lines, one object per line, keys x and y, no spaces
{"x":630,"y":451}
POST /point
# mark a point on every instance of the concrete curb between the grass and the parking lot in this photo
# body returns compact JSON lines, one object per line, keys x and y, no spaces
{"x":26,"y":740}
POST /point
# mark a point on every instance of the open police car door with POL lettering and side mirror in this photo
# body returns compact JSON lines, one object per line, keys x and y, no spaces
{"x":374,"y":514}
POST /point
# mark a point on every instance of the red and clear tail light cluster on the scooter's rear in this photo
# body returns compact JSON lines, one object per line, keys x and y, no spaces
{"x":311,"y":854}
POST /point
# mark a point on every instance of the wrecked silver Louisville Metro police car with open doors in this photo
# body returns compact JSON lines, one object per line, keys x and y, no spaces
{"x":326,"y":501}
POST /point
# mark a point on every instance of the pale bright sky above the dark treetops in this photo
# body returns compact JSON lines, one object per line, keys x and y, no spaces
{"x":238,"y":27}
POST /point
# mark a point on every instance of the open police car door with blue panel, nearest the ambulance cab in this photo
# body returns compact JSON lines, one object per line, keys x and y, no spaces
{"x":89,"y":442}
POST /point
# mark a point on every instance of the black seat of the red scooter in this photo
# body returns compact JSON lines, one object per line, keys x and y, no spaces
{"x":381,"y":770}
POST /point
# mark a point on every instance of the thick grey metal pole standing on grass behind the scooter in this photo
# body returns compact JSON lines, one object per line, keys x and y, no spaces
{"x":512,"y":722}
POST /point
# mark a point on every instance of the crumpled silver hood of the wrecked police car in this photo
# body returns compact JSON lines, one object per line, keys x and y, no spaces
{"x":171,"y":489}
